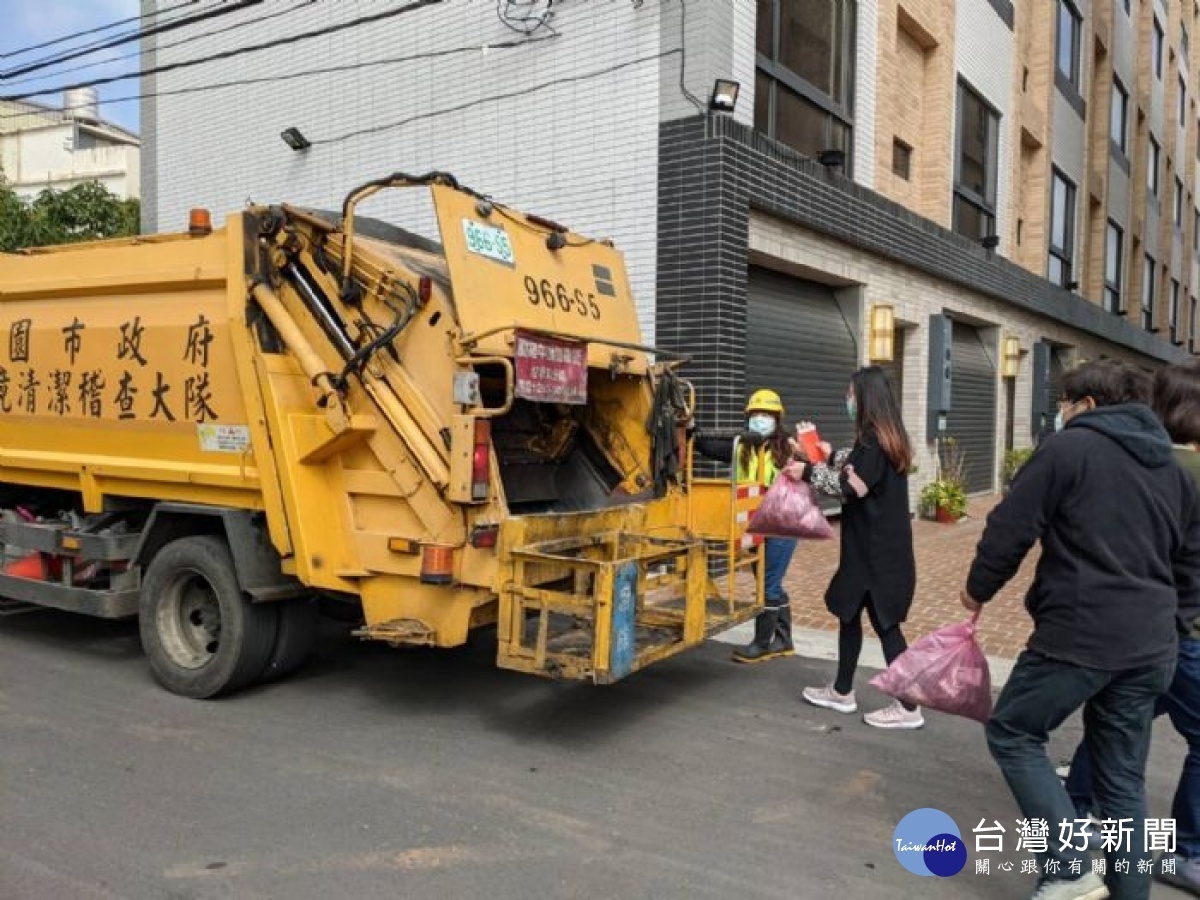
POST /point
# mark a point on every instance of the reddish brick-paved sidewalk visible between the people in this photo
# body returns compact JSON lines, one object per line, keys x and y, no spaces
{"x":944,"y":555}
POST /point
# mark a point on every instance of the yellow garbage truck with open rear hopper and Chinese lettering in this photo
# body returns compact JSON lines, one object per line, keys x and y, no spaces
{"x":217,"y":430}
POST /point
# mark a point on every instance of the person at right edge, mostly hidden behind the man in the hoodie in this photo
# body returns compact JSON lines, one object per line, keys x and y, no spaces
{"x":1177,"y":401}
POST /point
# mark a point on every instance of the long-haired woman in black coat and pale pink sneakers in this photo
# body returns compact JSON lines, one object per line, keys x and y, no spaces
{"x":877,"y":567}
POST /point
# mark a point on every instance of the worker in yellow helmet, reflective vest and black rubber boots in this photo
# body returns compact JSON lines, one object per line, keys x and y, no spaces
{"x":765,"y":430}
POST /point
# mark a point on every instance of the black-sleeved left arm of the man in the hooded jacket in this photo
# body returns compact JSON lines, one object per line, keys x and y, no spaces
{"x":1021,"y":520}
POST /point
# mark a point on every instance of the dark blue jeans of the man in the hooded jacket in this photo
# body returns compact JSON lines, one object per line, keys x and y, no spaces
{"x":1119,"y":712}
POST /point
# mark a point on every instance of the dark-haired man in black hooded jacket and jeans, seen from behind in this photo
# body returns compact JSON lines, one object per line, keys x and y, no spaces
{"x":1120,"y":529}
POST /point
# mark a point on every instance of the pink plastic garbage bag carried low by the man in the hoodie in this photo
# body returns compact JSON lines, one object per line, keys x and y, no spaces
{"x":945,"y":670}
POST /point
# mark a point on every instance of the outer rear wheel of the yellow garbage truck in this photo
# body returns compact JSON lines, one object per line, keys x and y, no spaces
{"x":201,"y":633}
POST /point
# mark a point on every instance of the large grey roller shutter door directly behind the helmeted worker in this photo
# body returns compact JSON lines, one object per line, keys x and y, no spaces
{"x":800,"y":345}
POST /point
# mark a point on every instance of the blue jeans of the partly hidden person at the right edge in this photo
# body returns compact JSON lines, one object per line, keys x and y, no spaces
{"x":1183,"y":705}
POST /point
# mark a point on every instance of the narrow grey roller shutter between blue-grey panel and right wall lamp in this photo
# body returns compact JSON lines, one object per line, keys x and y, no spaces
{"x":973,"y":419}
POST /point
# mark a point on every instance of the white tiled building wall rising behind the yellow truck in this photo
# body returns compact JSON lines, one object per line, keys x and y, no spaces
{"x":581,"y":152}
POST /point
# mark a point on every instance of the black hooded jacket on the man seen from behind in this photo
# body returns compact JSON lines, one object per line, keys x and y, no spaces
{"x":1120,"y":527}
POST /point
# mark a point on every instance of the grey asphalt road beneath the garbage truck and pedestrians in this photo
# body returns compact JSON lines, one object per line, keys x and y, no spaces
{"x":381,"y":773}
